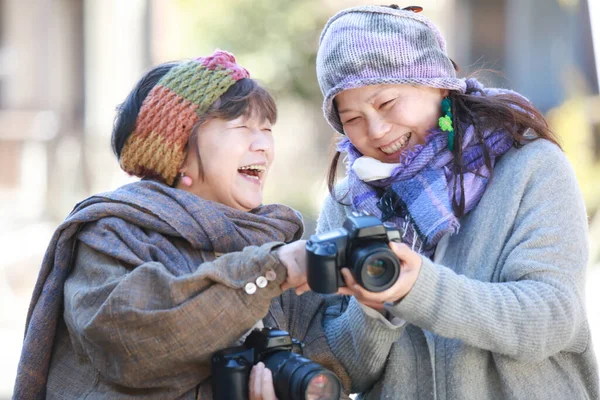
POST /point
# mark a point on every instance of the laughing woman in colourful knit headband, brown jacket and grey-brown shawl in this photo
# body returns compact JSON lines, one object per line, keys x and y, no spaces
{"x":140,"y":286}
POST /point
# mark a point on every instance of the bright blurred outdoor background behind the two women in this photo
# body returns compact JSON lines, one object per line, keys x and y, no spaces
{"x":66,"y":64}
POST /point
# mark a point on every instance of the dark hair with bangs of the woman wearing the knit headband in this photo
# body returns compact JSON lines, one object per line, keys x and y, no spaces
{"x":244,"y":97}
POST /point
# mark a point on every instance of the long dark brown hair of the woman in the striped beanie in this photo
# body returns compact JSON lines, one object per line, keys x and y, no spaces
{"x":485,"y":113}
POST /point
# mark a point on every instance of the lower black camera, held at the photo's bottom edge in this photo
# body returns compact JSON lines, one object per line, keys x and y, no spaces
{"x":294,"y":377}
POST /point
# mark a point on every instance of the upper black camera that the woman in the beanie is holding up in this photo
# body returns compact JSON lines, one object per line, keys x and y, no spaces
{"x":361,"y":246}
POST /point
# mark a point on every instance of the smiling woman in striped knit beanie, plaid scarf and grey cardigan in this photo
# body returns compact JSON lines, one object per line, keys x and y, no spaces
{"x":490,"y":299}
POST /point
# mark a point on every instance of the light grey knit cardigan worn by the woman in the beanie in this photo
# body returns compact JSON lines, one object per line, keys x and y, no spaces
{"x":500,"y":314}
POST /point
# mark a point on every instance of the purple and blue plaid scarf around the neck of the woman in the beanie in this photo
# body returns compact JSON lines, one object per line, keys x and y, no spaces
{"x":417,"y":195}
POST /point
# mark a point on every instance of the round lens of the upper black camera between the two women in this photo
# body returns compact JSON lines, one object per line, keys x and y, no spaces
{"x":375,"y":266}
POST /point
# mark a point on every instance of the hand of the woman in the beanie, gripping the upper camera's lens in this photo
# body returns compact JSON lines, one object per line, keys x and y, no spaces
{"x":410,"y":262}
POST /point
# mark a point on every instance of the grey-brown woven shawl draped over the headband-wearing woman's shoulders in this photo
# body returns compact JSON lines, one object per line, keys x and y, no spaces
{"x":137,"y":223}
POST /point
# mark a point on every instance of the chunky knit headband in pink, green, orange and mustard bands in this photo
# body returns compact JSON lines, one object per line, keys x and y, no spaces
{"x":156,"y":148}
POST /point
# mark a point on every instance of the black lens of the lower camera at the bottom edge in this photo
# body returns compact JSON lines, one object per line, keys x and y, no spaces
{"x":298,"y":378}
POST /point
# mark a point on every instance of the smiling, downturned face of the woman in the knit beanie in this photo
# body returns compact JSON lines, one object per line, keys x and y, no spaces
{"x":382,"y":121}
